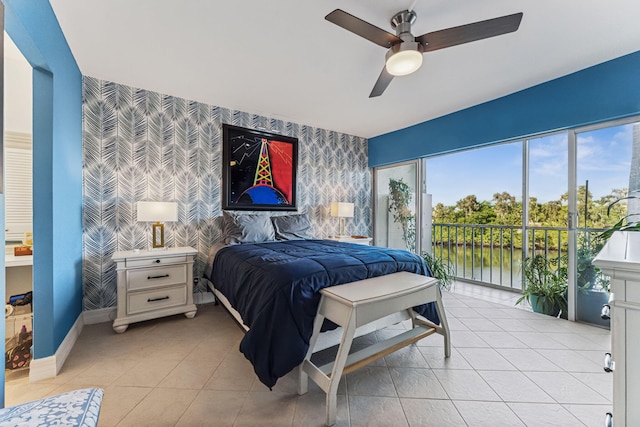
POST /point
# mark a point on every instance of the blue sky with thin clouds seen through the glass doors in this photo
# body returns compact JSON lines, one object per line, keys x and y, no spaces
{"x":604,"y":158}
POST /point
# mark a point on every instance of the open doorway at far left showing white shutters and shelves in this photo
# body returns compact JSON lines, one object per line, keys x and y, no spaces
{"x":18,"y":225}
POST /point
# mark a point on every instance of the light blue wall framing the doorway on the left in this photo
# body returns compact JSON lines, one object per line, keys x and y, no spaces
{"x":57,"y":170}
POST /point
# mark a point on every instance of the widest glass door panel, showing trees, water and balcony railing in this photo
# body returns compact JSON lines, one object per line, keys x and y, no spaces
{"x":477,"y":212}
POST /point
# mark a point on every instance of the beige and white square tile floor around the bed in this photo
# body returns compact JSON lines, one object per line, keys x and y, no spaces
{"x":509,"y":367}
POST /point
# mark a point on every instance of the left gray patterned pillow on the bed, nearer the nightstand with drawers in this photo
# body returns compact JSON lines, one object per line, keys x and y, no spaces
{"x":247,"y":228}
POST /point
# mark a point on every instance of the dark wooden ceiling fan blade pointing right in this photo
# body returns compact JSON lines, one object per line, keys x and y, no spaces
{"x":470,"y":32}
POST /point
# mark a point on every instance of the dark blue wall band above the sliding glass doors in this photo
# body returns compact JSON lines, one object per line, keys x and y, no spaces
{"x":607,"y":91}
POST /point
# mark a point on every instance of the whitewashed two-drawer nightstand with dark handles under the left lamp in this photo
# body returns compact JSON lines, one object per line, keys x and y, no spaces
{"x":154,"y":284}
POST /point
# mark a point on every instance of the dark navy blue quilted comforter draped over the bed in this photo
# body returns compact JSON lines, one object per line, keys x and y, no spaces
{"x":275,"y":288}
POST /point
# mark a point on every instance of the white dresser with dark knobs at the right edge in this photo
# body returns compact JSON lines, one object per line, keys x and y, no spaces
{"x":620,"y":259}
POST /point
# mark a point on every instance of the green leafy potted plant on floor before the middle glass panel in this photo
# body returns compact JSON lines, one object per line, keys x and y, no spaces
{"x":545,"y":287}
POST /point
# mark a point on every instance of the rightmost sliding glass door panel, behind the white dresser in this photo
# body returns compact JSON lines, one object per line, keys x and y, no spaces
{"x":607,"y":168}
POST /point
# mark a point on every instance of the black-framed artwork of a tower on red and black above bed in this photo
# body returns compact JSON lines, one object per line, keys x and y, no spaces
{"x":258,"y":170}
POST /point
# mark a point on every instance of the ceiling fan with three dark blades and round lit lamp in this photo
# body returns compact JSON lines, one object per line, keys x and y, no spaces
{"x":404,"y":54}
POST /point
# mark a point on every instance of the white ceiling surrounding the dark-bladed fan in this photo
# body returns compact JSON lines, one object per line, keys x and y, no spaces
{"x":281,"y":59}
